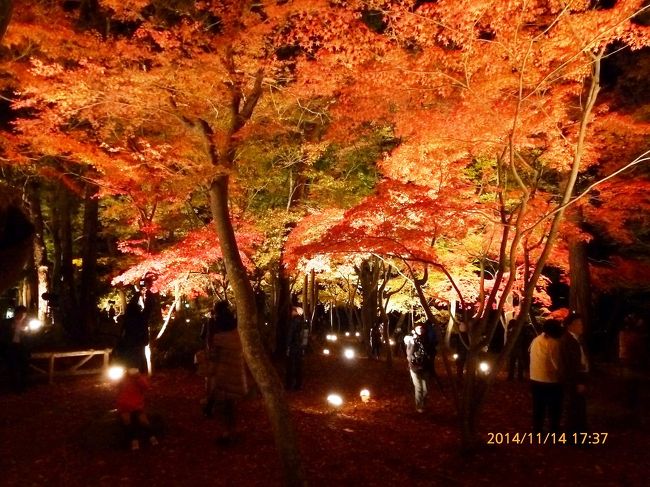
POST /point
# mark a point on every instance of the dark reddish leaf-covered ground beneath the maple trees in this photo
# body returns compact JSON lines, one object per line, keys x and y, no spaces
{"x":64,"y":434}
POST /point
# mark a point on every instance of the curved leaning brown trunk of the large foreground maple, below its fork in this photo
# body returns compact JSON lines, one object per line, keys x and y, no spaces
{"x":256,"y":357}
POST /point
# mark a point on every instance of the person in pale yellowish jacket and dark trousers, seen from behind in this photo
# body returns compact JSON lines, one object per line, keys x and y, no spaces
{"x":546,"y":386}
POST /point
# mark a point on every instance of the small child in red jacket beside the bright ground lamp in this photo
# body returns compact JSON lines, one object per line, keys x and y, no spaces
{"x":131,"y":408}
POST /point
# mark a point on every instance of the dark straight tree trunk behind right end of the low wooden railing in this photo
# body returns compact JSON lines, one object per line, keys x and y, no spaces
{"x":87,"y":292}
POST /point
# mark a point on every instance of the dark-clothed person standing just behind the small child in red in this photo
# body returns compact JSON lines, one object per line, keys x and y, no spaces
{"x":135,"y":335}
